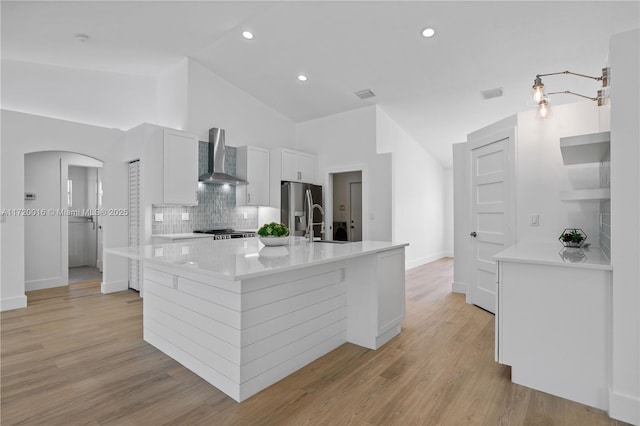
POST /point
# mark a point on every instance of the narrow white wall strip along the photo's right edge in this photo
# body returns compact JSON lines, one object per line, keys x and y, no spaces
{"x":624,"y":52}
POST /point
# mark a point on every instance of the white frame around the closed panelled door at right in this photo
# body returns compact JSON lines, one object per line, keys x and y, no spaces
{"x":510,"y":204}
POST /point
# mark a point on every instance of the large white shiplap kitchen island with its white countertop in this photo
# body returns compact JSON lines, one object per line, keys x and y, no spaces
{"x":243,"y":316}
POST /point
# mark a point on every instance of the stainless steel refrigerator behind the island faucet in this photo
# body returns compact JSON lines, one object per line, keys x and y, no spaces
{"x":293,"y":212}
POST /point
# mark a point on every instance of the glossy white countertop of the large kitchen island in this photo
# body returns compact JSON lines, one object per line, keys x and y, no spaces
{"x":242,"y":258}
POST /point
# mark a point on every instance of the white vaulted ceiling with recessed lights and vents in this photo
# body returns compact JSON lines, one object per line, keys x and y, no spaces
{"x":430,"y":87}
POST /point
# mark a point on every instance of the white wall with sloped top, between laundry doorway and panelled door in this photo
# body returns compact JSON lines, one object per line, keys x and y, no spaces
{"x":418,"y":200}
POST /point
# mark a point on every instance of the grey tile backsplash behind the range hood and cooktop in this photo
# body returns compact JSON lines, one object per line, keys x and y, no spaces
{"x":216,"y":204}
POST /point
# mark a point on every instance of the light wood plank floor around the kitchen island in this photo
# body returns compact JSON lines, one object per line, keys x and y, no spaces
{"x":75,"y":356}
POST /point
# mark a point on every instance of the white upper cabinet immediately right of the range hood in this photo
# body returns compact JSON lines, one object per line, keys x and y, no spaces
{"x":252,"y":165}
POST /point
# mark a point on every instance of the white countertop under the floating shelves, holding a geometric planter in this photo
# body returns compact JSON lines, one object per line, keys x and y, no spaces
{"x":556,"y":255}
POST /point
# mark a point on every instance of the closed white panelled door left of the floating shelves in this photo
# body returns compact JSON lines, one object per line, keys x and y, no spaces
{"x":492,"y":211}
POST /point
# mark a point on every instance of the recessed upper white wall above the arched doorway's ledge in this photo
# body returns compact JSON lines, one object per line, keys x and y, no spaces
{"x":93,"y":97}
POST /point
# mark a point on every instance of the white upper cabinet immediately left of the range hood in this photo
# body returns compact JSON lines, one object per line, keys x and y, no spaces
{"x":180,"y":176}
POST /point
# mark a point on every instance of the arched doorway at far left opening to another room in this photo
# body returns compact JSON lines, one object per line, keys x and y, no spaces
{"x":63,"y":191}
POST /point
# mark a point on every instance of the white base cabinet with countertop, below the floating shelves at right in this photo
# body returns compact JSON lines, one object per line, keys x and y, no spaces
{"x":553,"y":320}
